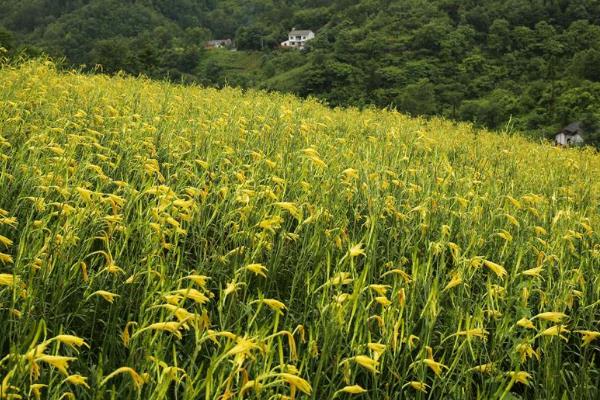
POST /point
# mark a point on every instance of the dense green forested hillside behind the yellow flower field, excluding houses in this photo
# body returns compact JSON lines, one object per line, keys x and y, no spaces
{"x":531,"y":65}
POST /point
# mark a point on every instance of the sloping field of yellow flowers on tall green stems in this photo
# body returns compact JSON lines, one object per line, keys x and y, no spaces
{"x":161,"y":241}
